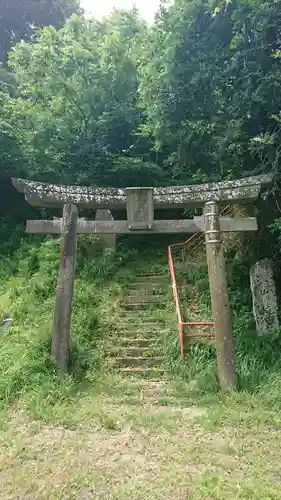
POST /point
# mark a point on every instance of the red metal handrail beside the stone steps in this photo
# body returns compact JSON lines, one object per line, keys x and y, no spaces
{"x":196,"y":239}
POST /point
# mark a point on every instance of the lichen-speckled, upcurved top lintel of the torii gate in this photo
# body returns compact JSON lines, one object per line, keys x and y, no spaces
{"x":240,"y":190}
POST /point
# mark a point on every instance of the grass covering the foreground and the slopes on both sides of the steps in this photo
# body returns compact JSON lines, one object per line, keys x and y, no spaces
{"x":95,"y":435}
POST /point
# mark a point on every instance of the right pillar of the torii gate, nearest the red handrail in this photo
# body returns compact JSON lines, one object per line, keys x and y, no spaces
{"x":222,"y":314}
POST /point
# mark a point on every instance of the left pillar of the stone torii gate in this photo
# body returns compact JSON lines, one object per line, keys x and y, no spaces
{"x":65,"y":287}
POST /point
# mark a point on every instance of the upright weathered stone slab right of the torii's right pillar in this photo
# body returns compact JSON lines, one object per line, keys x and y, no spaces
{"x":265,"y":306}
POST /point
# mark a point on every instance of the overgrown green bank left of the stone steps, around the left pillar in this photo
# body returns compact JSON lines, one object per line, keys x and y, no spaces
{"x":27,"y":291}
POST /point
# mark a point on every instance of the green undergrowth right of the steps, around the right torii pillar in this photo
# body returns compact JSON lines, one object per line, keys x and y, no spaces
{"x":257,"y":358}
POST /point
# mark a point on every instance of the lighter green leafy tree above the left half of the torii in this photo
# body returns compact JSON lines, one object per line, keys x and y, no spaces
{"x":75,"y":115}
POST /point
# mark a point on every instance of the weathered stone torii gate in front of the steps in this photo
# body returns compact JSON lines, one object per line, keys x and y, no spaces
{"x":140,"y":204}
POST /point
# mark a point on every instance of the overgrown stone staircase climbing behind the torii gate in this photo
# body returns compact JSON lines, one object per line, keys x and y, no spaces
{"x":138,"y":349}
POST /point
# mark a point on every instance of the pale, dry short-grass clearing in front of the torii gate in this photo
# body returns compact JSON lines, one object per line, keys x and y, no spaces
{"x":137,"y":450}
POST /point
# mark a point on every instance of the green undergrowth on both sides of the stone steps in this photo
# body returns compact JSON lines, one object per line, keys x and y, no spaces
{"x":27,"y":287}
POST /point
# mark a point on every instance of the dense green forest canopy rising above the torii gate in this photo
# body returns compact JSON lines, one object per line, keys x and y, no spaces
{"x":194,"y":97}
